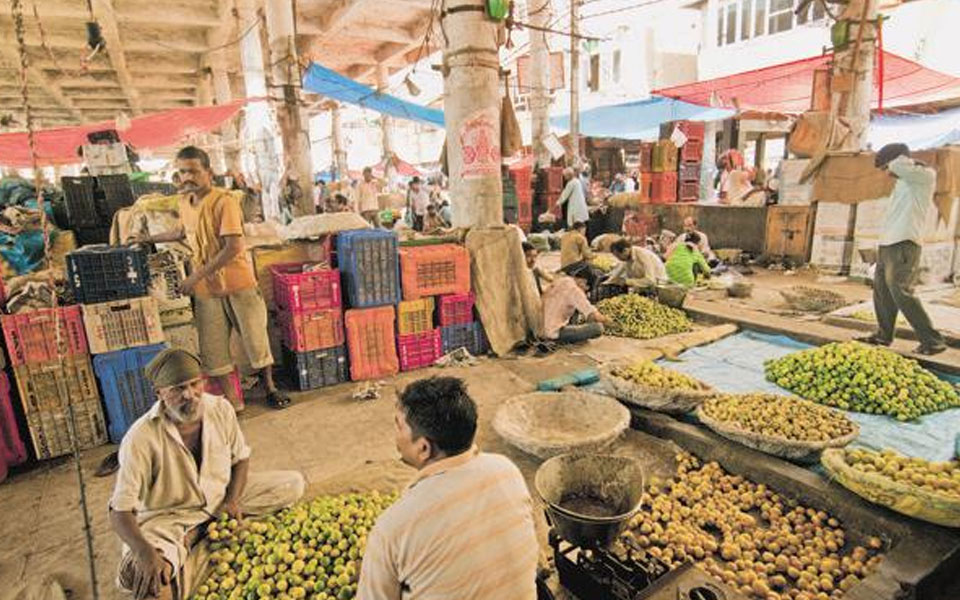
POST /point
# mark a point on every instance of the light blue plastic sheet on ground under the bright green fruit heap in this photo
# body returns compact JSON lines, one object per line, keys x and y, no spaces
{"x":735,"y":364}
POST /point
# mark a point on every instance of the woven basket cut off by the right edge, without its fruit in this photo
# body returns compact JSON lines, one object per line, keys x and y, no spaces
{"x":905,"y":499}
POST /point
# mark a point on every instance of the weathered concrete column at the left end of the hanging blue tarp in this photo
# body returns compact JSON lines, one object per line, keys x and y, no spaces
{"x":286,"y":74}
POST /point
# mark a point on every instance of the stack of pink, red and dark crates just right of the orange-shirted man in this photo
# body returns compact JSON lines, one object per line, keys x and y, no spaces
{"x":308,"y":300}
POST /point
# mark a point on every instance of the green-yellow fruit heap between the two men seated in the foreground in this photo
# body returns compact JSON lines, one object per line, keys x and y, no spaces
{"x":311,"y":550}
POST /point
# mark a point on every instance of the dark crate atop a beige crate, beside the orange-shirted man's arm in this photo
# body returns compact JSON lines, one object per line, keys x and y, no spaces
{"x":105,"y":273}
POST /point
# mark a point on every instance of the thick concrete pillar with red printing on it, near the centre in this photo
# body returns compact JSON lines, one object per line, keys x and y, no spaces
{"x":471,"y":103}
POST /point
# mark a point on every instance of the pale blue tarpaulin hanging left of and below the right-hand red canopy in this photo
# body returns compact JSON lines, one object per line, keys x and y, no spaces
{"x":639,"y":120}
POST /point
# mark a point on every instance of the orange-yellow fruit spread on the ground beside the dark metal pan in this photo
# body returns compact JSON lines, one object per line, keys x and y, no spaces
{"x":746,"y":535}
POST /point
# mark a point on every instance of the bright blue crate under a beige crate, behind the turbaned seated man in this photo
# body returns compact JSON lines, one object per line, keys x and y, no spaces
{"x":127,"y":393}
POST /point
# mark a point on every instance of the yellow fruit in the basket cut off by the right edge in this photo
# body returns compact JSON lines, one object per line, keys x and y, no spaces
{"x":939,"y":477}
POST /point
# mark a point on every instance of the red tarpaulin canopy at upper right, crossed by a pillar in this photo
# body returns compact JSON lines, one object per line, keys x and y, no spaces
{"x":787,"y":87}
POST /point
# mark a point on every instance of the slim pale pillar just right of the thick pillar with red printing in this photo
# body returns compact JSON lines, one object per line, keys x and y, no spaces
{"x":540,"y":76}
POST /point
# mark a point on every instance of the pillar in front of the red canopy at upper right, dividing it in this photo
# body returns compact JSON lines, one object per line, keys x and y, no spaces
{"x":852,"y":79}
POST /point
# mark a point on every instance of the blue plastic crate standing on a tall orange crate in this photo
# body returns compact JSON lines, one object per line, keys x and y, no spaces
{"x":369,"y":267}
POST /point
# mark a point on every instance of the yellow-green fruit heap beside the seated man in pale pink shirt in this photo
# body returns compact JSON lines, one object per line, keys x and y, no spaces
{"x":638,"y":317}
